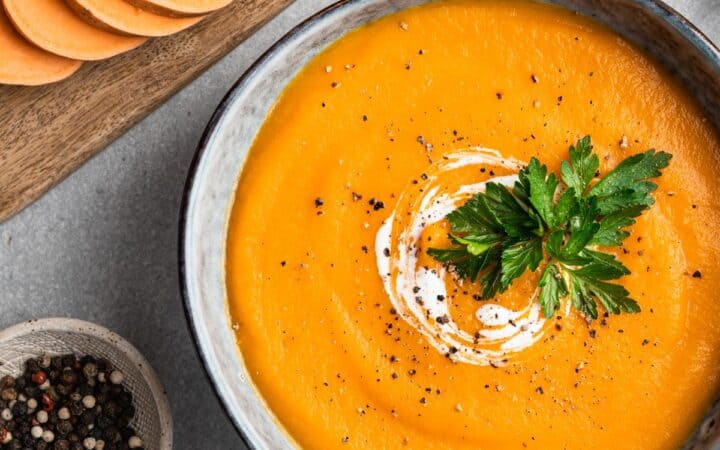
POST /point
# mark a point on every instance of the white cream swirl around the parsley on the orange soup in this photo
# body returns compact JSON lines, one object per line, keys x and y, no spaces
{"x":419,"y":294}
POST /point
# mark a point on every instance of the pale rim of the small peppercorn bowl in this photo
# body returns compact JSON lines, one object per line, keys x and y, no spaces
{"x":110,"y":337}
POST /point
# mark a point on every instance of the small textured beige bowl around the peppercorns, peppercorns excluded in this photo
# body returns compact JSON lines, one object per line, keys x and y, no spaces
{"x":60,"y":336}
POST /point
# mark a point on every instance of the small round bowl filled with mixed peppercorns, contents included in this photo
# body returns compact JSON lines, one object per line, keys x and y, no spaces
{"x":66,"y":384}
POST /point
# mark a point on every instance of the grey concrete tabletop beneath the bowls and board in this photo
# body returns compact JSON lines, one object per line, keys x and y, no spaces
{"x":102,"y":245}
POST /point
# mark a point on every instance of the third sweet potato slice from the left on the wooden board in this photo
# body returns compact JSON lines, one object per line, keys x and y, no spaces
{"x":121,"y":17}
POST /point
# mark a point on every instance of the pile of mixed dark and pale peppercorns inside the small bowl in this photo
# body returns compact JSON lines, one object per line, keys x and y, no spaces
{"x":66,"y":403}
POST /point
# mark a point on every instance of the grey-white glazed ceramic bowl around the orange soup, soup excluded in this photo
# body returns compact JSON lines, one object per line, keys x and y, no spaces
{"x":224,"y":147}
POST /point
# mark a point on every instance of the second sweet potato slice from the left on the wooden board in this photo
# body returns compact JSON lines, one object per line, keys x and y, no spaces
{"x":53,"y":26}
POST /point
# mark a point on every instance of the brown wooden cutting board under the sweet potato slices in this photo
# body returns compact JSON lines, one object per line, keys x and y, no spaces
{"x":47,"y":132}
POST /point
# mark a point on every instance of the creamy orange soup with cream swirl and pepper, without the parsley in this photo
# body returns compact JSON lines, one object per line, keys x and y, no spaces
{"x":357,"y":338}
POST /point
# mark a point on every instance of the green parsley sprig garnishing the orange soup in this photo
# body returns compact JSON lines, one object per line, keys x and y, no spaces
{"x":560,"y":223}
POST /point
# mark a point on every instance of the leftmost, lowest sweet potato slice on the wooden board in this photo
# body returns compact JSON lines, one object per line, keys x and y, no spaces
{"x":23,"y":63}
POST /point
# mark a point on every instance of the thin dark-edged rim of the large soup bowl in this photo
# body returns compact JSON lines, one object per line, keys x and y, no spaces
{"x":658,"y":8}
